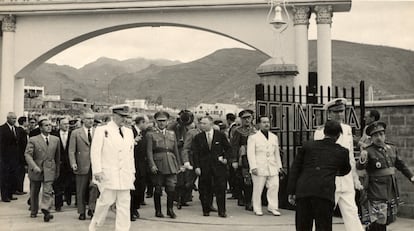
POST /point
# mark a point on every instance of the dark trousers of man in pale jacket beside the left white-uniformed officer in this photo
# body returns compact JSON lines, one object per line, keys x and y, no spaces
{"x":86,"y":193}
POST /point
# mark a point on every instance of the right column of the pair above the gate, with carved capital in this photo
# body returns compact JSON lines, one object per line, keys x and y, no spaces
{"x":324,"y":21}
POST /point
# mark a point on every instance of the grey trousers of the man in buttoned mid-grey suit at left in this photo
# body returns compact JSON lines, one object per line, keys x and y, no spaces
{"x":47,"y":195}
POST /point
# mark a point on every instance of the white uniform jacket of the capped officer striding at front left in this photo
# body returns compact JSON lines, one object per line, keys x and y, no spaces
{"x":114,"y":157}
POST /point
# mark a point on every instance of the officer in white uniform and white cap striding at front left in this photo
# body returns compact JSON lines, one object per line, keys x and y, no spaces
{"x":112,"y":159}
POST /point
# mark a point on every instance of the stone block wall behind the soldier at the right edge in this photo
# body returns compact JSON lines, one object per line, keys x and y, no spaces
{"x":399,"y":116}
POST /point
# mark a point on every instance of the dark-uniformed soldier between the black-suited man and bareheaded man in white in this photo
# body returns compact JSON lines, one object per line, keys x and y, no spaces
{"x":243,"y":186}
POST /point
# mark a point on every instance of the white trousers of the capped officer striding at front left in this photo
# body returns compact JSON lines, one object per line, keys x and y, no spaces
{"x":105,"y":200}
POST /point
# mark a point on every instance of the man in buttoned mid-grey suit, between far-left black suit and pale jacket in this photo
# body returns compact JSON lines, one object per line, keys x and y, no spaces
{"x":43,"y":157}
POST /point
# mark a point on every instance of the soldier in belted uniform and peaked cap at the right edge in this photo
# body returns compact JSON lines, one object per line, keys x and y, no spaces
{"x":380,"y":160}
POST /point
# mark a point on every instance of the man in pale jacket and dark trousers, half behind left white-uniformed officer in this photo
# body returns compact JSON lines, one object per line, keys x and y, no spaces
{"x":80,"y":161}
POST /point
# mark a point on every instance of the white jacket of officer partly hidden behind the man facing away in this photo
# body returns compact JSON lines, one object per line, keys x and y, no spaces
{"x":343,"y":183}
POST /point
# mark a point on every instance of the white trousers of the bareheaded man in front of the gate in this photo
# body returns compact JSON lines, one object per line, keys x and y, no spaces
{"x":272,"y":184}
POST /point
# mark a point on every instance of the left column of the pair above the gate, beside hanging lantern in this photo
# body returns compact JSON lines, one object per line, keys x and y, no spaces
{"x":301,"y":22}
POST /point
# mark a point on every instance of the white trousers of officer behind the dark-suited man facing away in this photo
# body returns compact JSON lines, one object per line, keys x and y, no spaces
{"x":349,"y":210}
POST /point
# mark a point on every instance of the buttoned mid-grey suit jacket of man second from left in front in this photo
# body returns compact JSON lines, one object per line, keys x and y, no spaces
{"x":46,"y":157}
